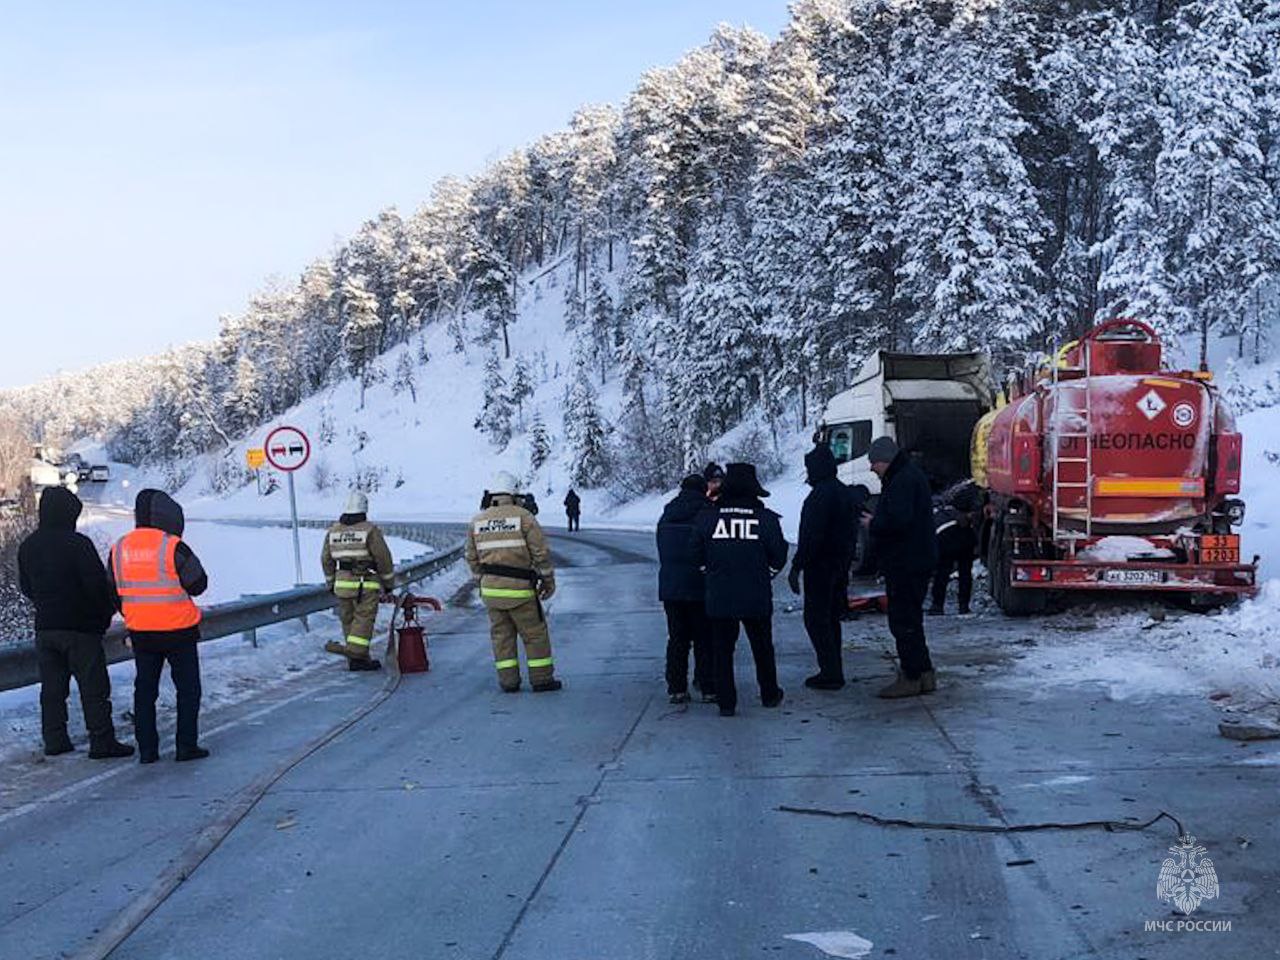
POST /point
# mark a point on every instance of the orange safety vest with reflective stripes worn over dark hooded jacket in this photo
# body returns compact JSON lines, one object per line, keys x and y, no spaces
{"x":147,"y":579}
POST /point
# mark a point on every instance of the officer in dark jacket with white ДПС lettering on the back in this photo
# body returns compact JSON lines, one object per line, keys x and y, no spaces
{"x":740,"y":546}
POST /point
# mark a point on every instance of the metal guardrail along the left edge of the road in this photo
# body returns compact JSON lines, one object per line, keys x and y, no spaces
{"x":19,"y":665}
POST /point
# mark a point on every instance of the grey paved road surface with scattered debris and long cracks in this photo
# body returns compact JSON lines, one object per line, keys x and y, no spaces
{"x":602,"y":822}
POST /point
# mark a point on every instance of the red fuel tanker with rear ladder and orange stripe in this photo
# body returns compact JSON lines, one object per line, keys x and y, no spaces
{"x":1110,"y":473}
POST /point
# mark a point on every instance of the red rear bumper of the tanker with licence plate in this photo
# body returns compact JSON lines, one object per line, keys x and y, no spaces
{"x":1235,"y":579}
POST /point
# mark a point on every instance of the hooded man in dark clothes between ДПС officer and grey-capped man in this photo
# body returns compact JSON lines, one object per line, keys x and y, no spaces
{"x":822,"y":557}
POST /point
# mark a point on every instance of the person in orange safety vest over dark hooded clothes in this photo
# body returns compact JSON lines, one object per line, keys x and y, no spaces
{"x":154,"y":577}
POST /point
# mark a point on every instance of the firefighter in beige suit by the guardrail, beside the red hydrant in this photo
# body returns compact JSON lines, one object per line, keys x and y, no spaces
{"x":359,"y":570}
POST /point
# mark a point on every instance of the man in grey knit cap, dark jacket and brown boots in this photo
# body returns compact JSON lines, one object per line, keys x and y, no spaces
{"x":906,"y":546}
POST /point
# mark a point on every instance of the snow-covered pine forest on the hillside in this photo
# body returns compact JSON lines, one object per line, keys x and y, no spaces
{"x":756,"y":220}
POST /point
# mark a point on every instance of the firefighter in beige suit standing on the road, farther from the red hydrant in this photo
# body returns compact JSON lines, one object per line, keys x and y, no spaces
{"x":508,"y":551}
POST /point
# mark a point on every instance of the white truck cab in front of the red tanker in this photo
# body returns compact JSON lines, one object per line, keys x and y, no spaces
{"x":929,"y":403}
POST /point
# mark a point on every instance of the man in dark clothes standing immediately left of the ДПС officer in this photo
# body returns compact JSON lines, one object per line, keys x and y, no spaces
{"x":683,"y":591}
